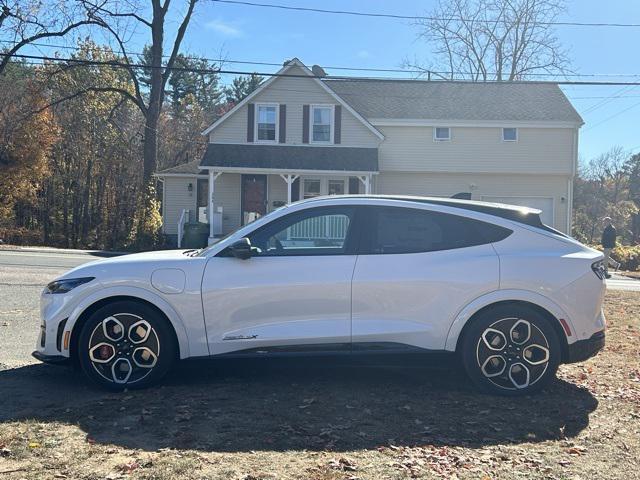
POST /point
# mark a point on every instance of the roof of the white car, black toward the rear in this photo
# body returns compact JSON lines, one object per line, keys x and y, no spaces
{"x":515,"y":213}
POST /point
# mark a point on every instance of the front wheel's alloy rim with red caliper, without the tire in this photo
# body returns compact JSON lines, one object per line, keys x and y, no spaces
{"x":124,"y":348}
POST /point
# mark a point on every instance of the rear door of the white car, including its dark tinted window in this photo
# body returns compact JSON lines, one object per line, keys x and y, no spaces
{"x":416,"y":269}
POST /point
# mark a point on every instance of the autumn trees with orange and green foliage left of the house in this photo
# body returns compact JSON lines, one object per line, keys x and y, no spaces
{"x":71,"y":150}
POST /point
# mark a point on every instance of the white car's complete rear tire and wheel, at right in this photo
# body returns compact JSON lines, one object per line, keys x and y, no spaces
{"x":510,"y":350}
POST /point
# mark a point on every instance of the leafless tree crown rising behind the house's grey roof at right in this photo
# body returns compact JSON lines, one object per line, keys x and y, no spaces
{"x":484,"y":40}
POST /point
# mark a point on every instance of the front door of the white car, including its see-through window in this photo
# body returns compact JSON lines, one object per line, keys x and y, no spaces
{"x":294,"y":293}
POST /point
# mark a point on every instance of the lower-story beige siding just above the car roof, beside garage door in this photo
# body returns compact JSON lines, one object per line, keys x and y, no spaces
{"x":518,"y":187}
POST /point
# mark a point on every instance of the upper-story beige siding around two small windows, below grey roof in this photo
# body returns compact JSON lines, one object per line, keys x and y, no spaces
{"x":478,"y":149}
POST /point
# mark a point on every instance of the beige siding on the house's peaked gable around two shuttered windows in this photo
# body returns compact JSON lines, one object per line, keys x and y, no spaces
{"x":294,"y":93}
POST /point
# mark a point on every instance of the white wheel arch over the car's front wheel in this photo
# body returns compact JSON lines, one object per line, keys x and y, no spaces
{"x":90,"y":305}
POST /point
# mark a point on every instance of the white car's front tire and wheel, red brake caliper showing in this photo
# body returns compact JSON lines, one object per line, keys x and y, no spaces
{"x":126,"y":344}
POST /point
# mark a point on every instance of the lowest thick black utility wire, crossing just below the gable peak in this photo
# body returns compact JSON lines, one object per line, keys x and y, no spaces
{"x":119,"y":64}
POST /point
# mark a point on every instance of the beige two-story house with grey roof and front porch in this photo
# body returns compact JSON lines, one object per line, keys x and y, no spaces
{"x":301,"y":134}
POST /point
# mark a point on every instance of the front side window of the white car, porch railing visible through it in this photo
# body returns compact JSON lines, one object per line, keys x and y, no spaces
{"x":317,"y":231}
